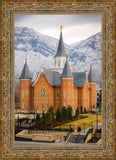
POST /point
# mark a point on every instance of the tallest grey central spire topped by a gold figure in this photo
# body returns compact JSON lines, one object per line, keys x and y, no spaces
{"x":61,"y":50}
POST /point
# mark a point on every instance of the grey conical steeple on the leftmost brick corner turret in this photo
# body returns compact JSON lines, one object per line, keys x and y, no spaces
{"x":25,"y":72}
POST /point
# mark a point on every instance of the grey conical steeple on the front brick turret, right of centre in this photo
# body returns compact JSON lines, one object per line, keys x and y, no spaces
{"x":66,"y":71}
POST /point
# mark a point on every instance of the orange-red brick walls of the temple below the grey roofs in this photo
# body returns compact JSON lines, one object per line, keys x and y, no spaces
{"x":84,"y":97}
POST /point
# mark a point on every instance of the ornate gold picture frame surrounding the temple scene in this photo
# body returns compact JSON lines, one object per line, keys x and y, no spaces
{"x":11,"y":151}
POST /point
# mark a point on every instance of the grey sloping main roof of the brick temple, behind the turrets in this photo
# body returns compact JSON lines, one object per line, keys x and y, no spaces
{"x":54,"y":78}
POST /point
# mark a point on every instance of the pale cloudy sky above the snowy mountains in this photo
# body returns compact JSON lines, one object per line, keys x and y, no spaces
{"x":75,"y":27}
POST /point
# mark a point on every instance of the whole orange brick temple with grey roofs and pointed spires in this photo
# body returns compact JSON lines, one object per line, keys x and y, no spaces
{"x":58,"y":86}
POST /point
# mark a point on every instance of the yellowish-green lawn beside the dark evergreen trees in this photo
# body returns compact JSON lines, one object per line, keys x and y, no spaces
{"x":88,"y":120}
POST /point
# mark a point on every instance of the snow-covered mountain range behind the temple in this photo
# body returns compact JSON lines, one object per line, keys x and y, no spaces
{"x":40,"y":50}
